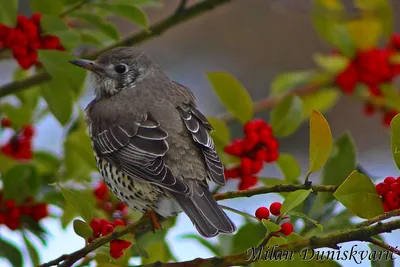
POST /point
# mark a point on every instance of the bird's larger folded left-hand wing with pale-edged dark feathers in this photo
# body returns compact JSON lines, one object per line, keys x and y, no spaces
{"x":137,"y":148}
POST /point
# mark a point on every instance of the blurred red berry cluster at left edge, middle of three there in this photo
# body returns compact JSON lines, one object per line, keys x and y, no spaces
{"x":19,"y":146}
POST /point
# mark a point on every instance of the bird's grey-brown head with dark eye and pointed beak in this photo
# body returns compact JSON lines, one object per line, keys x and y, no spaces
{"x":117,"y":69}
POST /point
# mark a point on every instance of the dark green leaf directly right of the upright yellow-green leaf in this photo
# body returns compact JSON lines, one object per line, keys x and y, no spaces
{"x":343,"y":155}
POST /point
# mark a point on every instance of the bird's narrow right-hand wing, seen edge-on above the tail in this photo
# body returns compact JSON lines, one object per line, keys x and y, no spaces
{"x":200,"y":128}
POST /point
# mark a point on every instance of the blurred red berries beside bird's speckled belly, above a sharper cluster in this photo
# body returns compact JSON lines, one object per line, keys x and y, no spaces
{"x":107,"y":203}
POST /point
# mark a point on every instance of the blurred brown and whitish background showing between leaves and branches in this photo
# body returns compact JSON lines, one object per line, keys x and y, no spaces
{"x":254,"y":40}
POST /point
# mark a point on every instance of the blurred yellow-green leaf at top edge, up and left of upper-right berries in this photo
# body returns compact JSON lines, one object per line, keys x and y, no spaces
{"x":328,"y":20}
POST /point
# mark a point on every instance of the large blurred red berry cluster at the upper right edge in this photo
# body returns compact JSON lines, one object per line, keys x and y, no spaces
{"x":372,"y":68}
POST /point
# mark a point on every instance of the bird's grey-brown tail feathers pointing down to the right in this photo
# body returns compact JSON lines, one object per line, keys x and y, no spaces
{"x":204,"y":211}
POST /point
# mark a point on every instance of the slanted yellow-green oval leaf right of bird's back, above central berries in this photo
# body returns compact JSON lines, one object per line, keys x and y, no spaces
{"x":233,"y":95}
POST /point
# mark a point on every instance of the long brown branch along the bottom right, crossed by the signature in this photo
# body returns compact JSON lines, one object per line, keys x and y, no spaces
{"x":332,"y":240}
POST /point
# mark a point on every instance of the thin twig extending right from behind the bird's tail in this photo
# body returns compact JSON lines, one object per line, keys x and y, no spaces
{"x":274,"y":189}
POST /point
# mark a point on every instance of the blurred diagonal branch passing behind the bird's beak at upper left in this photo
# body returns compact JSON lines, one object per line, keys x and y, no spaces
{"x":153,"y":31}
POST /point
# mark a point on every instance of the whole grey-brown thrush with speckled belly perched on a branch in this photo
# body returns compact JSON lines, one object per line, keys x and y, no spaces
{"x":152,"y":145}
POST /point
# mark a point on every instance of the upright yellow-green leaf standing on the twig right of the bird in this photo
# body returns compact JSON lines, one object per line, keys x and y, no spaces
{"x":320,"y":141}
